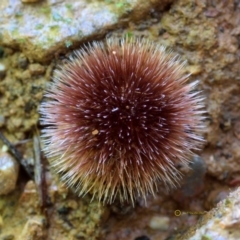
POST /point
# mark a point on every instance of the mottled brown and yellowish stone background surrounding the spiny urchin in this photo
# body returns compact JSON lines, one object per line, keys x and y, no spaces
{"x":36,"y":37}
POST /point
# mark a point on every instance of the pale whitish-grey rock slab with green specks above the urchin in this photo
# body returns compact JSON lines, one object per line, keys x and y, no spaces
{"x":44,"y":29}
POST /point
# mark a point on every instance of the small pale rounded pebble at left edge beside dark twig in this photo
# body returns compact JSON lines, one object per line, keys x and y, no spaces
{"x":8,"y":173}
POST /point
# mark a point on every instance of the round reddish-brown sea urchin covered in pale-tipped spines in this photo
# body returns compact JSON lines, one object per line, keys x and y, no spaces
{"x":118,"y":119}
